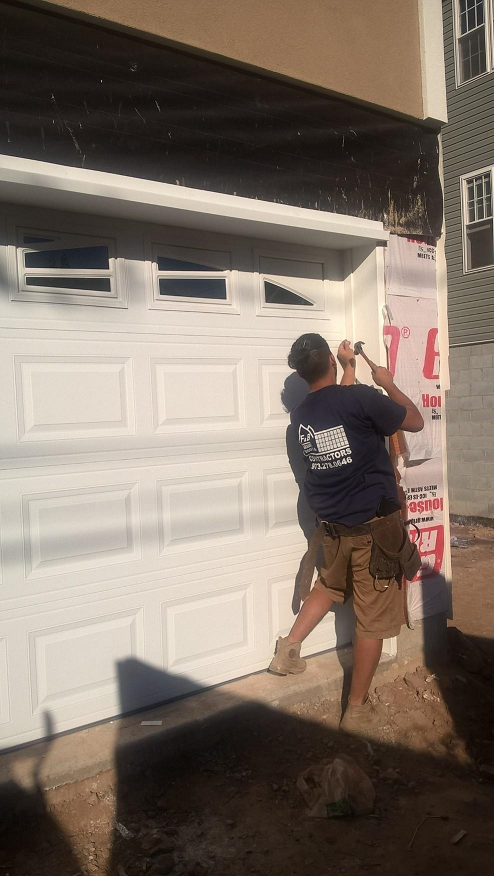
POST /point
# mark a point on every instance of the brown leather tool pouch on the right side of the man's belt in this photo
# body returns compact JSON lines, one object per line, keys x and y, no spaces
{"x":386,"y":561}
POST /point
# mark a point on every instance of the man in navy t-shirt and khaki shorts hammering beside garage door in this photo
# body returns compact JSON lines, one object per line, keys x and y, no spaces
{"x":349,"y":483}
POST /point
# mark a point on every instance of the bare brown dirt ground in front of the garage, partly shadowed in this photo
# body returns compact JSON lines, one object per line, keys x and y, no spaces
{"x":234,"y":808}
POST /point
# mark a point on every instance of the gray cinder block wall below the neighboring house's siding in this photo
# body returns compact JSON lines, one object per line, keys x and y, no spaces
{"x":470,"y":430}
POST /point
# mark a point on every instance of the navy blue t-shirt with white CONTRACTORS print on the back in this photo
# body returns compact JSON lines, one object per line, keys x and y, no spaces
{"x":341,"y":430}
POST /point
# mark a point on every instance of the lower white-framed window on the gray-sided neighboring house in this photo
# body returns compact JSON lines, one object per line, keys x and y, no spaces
{"x":478,"y":231}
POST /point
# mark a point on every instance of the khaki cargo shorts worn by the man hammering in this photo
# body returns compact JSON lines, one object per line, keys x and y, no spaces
{"x":378,"y":606}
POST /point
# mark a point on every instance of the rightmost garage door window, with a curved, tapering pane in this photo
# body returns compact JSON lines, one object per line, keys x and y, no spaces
{"x":290,"y":286}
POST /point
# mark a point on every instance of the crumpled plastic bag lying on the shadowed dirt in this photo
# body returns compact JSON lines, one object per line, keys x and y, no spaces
{"x":336,"y":789}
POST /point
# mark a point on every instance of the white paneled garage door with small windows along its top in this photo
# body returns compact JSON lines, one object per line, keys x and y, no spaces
{"x":149,"y":532}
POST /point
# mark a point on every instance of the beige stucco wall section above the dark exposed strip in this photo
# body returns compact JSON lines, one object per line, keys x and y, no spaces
{"x":365,"y":49}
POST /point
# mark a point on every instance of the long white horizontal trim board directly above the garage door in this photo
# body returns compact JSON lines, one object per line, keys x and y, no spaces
{"x":39,"y":183}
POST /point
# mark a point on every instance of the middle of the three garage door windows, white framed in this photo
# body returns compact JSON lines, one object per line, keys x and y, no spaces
{"x":187,"y":278}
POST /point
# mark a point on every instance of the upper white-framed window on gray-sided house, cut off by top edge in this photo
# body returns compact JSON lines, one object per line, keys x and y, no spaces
{"x":473,"y":39}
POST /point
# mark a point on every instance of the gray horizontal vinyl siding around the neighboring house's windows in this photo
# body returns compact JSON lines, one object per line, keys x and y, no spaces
{"x":468,"y":145}
